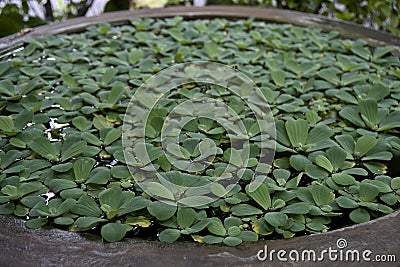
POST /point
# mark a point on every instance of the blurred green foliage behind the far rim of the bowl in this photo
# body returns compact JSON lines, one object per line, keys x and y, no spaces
{"x":16,"y":15}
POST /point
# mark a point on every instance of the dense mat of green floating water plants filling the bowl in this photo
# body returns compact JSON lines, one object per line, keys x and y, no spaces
{"x":335,"y":104}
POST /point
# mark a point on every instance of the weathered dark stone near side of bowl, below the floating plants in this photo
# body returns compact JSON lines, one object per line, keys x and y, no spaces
{"x":52,"y":247}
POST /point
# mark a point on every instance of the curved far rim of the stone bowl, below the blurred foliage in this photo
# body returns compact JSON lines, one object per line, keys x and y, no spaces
{"x":346,"y":29}
